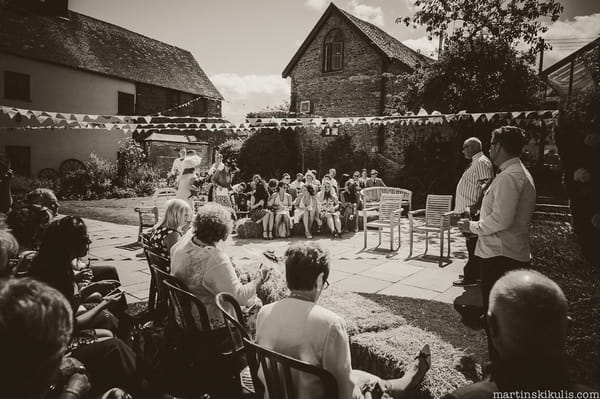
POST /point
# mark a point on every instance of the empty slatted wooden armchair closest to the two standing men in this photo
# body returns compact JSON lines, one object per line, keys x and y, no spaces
{"x":437,"y":220}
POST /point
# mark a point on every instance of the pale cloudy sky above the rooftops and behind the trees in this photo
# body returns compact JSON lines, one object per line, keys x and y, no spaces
{"x":244,"y":45}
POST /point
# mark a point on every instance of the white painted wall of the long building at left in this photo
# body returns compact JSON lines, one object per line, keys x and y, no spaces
{"x":62,"y":89}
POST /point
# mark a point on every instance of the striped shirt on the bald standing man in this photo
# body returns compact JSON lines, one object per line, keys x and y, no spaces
{"x":469,"y":189}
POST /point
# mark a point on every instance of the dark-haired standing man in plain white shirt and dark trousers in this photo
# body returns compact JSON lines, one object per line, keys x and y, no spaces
{"x":503,"y":228}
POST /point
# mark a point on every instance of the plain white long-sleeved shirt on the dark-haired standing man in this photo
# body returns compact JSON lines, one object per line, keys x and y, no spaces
{"x":503,"y":229}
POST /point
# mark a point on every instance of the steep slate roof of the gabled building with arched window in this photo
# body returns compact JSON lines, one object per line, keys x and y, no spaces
{"x":384,"y":43}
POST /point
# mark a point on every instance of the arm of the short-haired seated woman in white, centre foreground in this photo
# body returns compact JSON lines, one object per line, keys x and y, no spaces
{"x":336,"y":358}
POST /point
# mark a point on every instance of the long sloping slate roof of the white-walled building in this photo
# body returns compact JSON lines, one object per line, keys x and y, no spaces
{"x":89,"y":44}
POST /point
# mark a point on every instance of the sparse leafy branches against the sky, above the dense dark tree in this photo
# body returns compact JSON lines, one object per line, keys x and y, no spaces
{"x":509,"y":21}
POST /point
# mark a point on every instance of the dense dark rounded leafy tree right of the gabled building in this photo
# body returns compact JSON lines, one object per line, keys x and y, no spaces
{"x":479,"y":75}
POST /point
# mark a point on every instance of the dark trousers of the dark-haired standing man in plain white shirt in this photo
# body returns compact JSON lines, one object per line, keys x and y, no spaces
{"x":491,"y":270}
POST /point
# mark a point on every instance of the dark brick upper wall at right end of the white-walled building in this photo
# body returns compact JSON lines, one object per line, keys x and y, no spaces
{"x":153,"y":99}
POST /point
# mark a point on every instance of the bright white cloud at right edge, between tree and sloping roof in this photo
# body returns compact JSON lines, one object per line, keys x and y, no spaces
{"x":569,"y":35}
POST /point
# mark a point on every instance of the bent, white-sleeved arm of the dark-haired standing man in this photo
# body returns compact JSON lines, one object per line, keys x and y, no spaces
{"x":506,"y":192}
